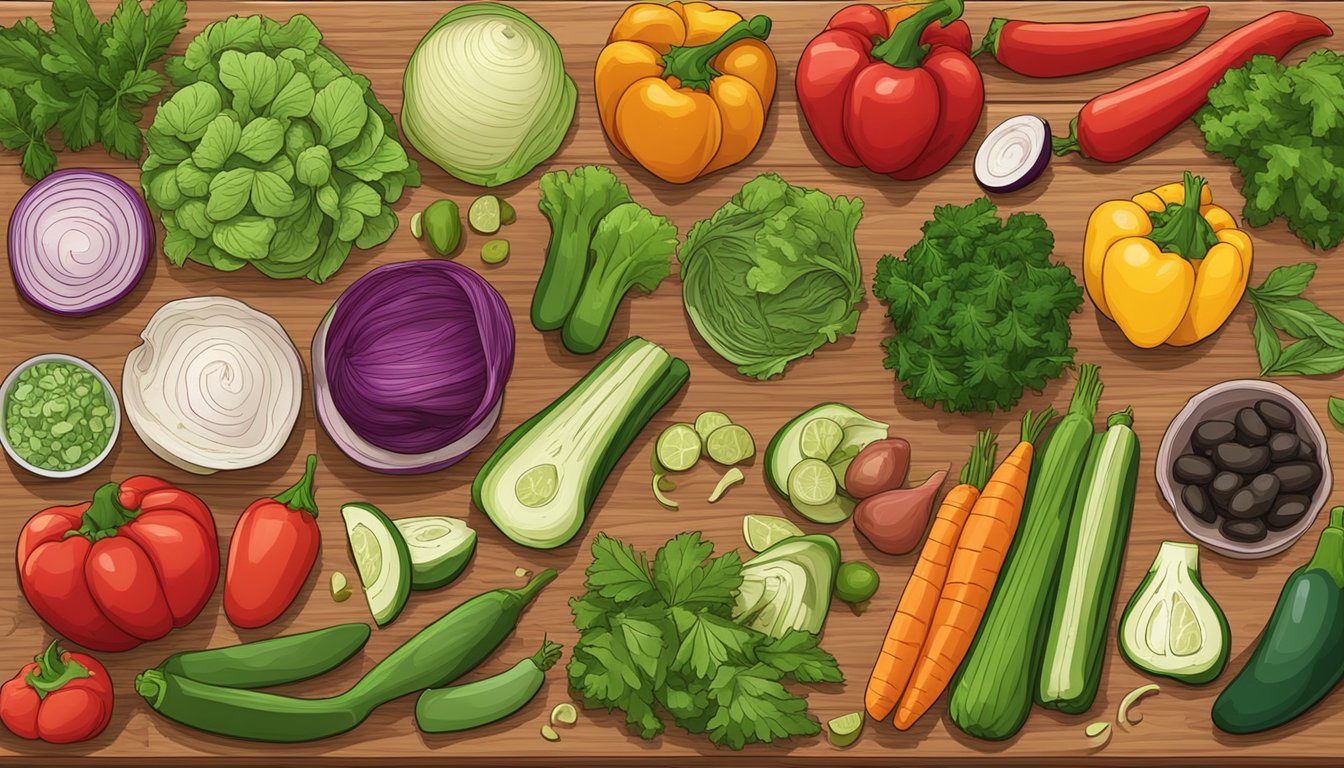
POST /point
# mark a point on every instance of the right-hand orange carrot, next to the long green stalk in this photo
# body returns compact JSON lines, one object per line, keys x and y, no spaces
{"x":971,"y":578}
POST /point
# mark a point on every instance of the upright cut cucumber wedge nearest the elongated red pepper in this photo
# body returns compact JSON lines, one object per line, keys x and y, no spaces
{"x":382,"y":560}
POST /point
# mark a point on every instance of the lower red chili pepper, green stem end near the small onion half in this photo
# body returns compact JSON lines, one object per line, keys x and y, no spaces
{"x":1123,"y":123}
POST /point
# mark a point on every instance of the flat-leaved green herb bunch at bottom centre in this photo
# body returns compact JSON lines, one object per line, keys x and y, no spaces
{"x":661,"y":642}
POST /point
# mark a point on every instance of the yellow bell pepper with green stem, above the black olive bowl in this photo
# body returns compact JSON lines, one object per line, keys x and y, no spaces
{"x":1167,"y":266}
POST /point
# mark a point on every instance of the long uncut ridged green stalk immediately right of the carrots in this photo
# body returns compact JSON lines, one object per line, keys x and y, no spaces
{"x":993,"y":692}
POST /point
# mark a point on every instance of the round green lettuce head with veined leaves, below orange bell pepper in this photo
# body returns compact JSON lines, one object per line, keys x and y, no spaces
{"x":773,"y":275}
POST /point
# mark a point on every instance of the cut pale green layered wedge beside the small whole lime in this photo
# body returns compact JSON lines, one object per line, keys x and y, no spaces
{"x":788,"y":587}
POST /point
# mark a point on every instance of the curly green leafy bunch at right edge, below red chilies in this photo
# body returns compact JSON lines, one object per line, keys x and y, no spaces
{"x":1284,"y":128}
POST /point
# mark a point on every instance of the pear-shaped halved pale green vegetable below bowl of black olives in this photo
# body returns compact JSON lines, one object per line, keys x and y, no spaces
{"x":1173,"y":627}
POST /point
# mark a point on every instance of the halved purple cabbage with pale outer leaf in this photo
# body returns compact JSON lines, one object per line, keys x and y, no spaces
{"x":411,"y":365}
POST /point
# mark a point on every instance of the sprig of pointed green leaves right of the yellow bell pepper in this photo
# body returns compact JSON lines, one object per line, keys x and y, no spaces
{"x":1319,"y":346}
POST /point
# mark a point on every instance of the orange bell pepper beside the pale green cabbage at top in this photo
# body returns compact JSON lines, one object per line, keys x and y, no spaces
{"x":683,"y":89}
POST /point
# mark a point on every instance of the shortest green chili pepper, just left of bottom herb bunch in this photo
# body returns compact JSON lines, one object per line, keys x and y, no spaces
{"x":474,"y":705}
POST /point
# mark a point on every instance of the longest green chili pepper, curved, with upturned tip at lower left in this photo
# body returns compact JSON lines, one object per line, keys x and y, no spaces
{"x":439,"y":654}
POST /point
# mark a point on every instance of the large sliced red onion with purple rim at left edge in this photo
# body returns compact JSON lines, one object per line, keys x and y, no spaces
{"x":79,"y":241}
